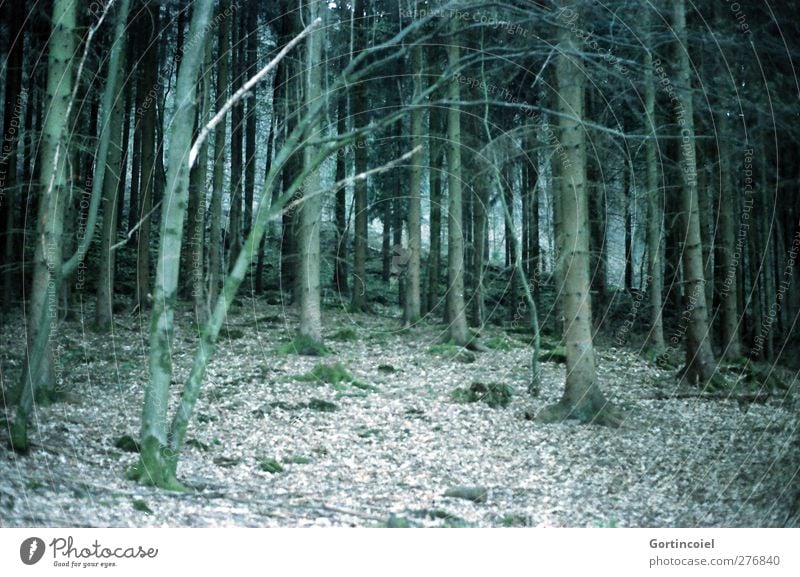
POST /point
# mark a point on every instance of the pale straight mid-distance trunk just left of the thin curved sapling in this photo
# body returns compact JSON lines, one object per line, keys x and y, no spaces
{"x":456,"y":314}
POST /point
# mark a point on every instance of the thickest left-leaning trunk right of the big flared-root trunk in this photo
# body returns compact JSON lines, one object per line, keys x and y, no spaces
{"x":699,"y":356}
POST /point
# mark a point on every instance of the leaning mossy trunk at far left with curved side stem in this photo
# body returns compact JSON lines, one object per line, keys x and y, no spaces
{"x":50,"y":270}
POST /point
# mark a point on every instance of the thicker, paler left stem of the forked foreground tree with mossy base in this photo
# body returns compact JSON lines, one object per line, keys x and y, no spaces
{"x":155,"y":465}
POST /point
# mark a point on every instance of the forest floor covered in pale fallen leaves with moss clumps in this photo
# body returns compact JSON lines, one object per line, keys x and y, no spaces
{"x":267,"y":448}
